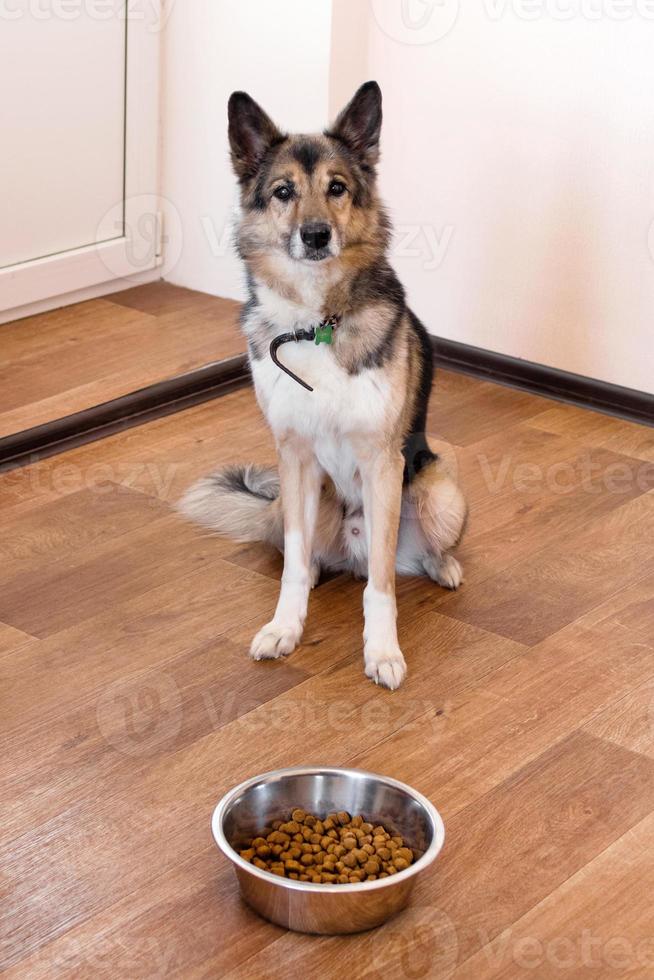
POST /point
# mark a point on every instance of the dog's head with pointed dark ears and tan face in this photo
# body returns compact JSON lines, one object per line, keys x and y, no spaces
{"x":310,"y":197}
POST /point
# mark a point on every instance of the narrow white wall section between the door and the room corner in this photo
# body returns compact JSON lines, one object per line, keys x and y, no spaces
{"x":276,"y":51}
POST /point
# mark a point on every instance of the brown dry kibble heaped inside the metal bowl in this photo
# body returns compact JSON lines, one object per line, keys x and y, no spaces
{"x":339,"y":850}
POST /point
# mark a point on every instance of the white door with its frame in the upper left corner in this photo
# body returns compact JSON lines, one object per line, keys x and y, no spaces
{"x":78,"y":124}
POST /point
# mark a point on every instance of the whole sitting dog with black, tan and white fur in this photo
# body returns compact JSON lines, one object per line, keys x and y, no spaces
{"x":358,"y":488}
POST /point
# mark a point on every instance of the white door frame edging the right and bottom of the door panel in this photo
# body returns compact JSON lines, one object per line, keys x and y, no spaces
{"x":139,"y":248}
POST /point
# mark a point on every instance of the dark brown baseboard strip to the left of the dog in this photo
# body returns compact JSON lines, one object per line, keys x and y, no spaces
{"x":144,"y":405}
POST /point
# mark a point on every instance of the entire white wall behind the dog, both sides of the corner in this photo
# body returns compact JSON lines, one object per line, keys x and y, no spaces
{"x":518,"y":156}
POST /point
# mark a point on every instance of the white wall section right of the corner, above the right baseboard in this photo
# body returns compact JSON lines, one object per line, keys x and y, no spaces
{"x":521,"y":143}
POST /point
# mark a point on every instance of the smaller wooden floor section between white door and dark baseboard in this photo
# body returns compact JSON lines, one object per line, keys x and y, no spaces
{"x":71,"y":359}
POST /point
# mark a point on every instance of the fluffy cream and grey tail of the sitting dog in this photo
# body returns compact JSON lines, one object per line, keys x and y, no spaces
{"x":241,"y":502}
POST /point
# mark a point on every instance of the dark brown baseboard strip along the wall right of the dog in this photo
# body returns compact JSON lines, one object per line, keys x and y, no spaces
{"x":538,"y":379}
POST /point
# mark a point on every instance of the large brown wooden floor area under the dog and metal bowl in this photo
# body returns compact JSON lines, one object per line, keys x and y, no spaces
{"x":129,"y":706}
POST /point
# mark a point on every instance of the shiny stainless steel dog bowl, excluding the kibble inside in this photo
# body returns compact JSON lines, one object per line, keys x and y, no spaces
{"x":326,"y":909}
